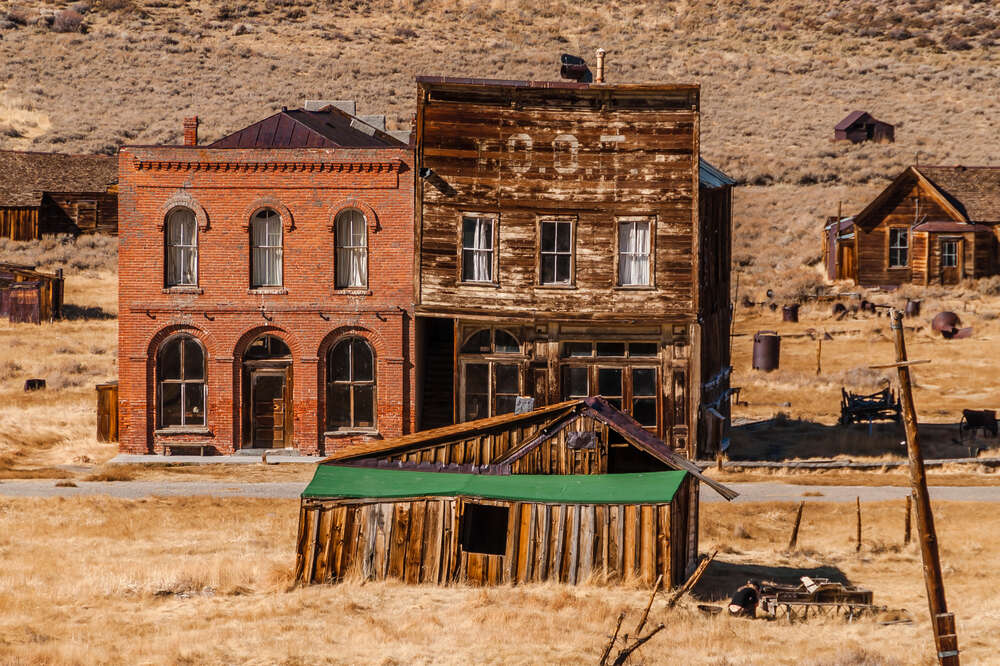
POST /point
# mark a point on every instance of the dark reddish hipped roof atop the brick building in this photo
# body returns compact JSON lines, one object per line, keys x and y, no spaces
{"x":329,"y":127}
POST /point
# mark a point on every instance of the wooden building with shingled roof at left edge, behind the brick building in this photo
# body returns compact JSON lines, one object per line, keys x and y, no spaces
{"x":46,"y":193}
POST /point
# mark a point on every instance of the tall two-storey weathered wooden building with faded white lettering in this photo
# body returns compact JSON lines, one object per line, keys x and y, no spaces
{"x":570,"y":242}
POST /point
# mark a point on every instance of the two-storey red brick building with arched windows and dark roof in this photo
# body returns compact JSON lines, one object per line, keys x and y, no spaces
{"x":265,"y":287}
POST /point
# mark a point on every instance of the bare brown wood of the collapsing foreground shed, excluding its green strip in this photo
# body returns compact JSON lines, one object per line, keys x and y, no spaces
{"x":582,"y":437}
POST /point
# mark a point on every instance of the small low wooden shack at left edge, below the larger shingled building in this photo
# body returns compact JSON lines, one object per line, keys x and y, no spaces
{"x":30,"y":296}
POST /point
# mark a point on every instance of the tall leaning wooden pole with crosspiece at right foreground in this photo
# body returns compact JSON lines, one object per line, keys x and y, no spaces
{"x":943,"y":622}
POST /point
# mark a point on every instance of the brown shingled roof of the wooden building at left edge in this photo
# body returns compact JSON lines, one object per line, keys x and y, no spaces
{"x":26,"y":176}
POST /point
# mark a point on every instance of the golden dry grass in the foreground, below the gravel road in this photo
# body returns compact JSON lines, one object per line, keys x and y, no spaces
{"x":206,"y":581}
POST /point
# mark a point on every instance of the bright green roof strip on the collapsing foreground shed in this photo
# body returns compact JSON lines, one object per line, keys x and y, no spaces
{"x":365,"y":482}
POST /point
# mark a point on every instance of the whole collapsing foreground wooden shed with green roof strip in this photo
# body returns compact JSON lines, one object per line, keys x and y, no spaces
{"x":567,"y":492}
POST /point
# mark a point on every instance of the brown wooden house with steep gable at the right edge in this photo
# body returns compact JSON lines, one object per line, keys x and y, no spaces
{"x":931,"y":225}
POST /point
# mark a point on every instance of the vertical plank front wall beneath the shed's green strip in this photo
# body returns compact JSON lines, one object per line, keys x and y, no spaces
{"x":567,"y":543}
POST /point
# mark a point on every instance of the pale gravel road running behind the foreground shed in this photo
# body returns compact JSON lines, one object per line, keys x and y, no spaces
{"x":749,"y":492}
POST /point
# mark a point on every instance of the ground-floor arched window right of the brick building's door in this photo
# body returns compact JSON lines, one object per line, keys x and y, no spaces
{"x":350,"y":388}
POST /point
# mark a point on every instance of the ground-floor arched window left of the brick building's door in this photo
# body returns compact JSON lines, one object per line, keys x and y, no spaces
{"x":180,"y":372}
